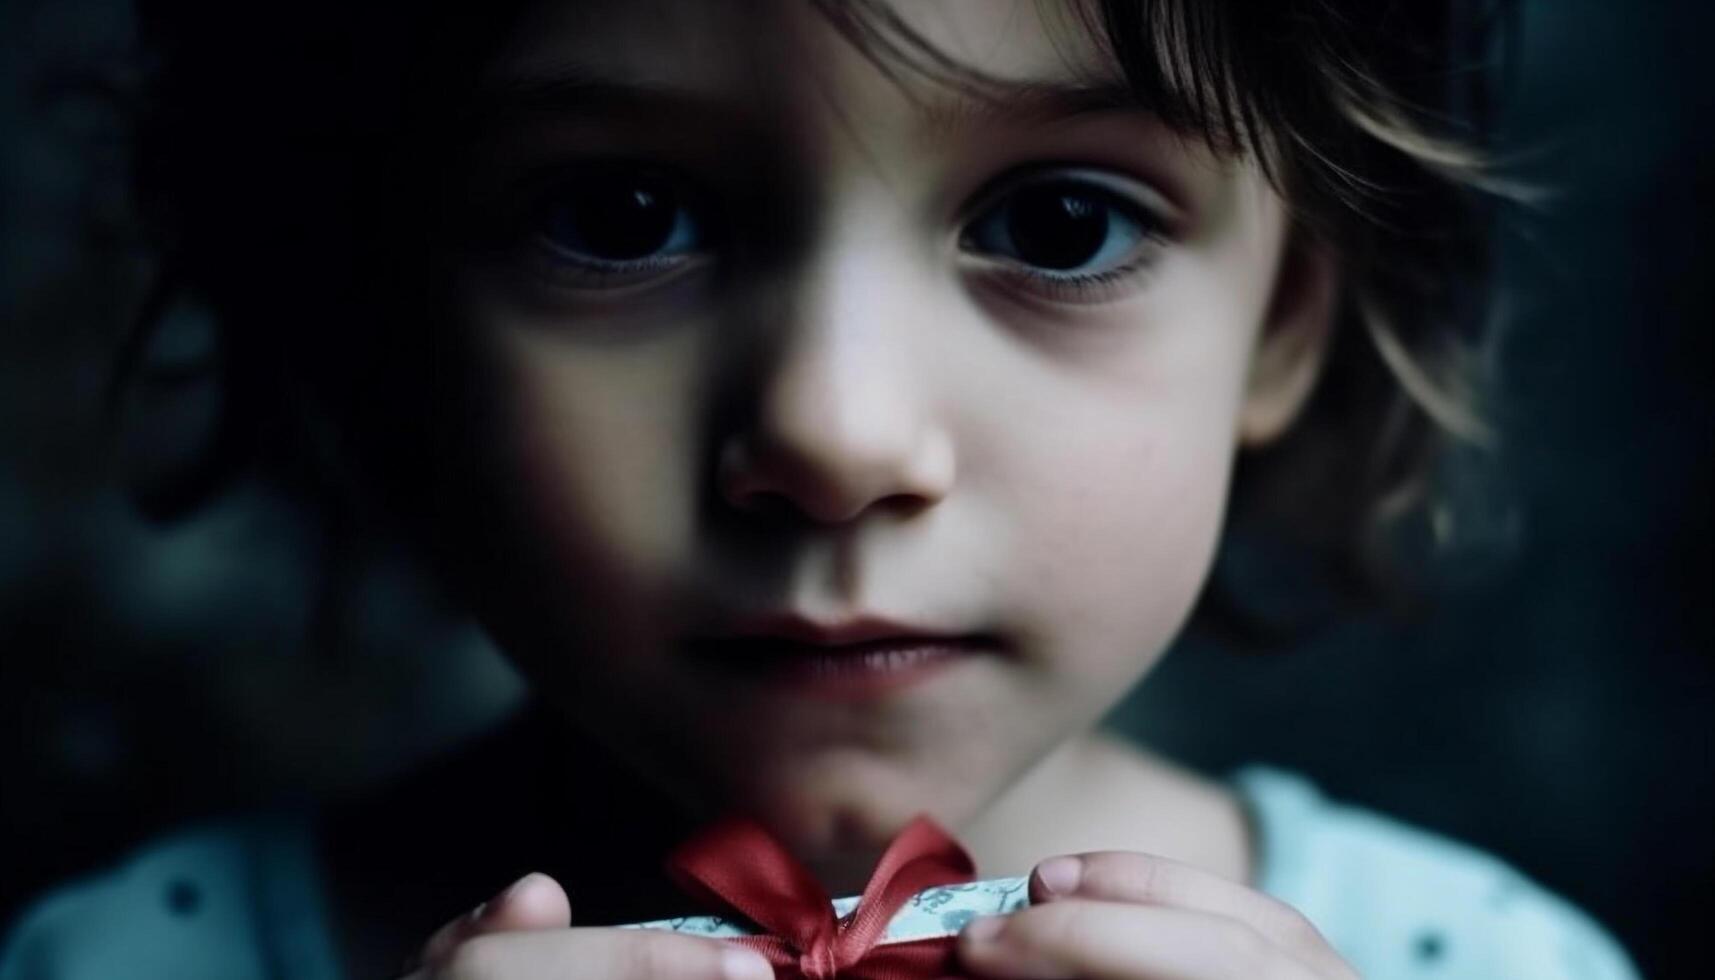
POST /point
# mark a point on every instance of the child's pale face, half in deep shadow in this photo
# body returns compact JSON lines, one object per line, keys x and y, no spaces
{"x":785,"y":337}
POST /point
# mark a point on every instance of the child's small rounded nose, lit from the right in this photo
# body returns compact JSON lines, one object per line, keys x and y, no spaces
{"x":846,"y":416}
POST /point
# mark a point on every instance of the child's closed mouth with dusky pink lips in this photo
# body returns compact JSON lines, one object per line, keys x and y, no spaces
{"x":805,"y":662}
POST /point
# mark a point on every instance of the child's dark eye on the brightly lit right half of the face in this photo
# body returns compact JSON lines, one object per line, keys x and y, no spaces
{"x":1062,"y":226}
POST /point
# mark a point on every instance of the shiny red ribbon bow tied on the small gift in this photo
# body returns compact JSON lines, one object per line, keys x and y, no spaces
{"x":742,"y":868}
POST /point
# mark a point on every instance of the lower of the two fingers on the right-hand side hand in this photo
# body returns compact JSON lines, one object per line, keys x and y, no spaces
{"x":1110,"y":941}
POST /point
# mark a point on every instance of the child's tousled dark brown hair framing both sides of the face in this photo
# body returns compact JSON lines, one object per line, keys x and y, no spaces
{"x":1369,"y":119}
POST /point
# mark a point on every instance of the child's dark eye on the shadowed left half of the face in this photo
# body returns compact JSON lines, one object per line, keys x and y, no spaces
{"x":620,"y":226}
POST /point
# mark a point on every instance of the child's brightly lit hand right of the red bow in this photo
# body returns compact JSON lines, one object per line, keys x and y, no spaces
{"x":1122,"y":916}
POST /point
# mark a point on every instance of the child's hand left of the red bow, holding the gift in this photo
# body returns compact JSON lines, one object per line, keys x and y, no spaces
{"x":526,"y":935}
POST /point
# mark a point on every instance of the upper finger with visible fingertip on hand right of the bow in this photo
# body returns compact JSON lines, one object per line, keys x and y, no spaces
{"x":1150,"y":880}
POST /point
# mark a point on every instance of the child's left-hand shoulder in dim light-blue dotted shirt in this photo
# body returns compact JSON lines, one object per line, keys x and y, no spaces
{"x":232,"y":900}
